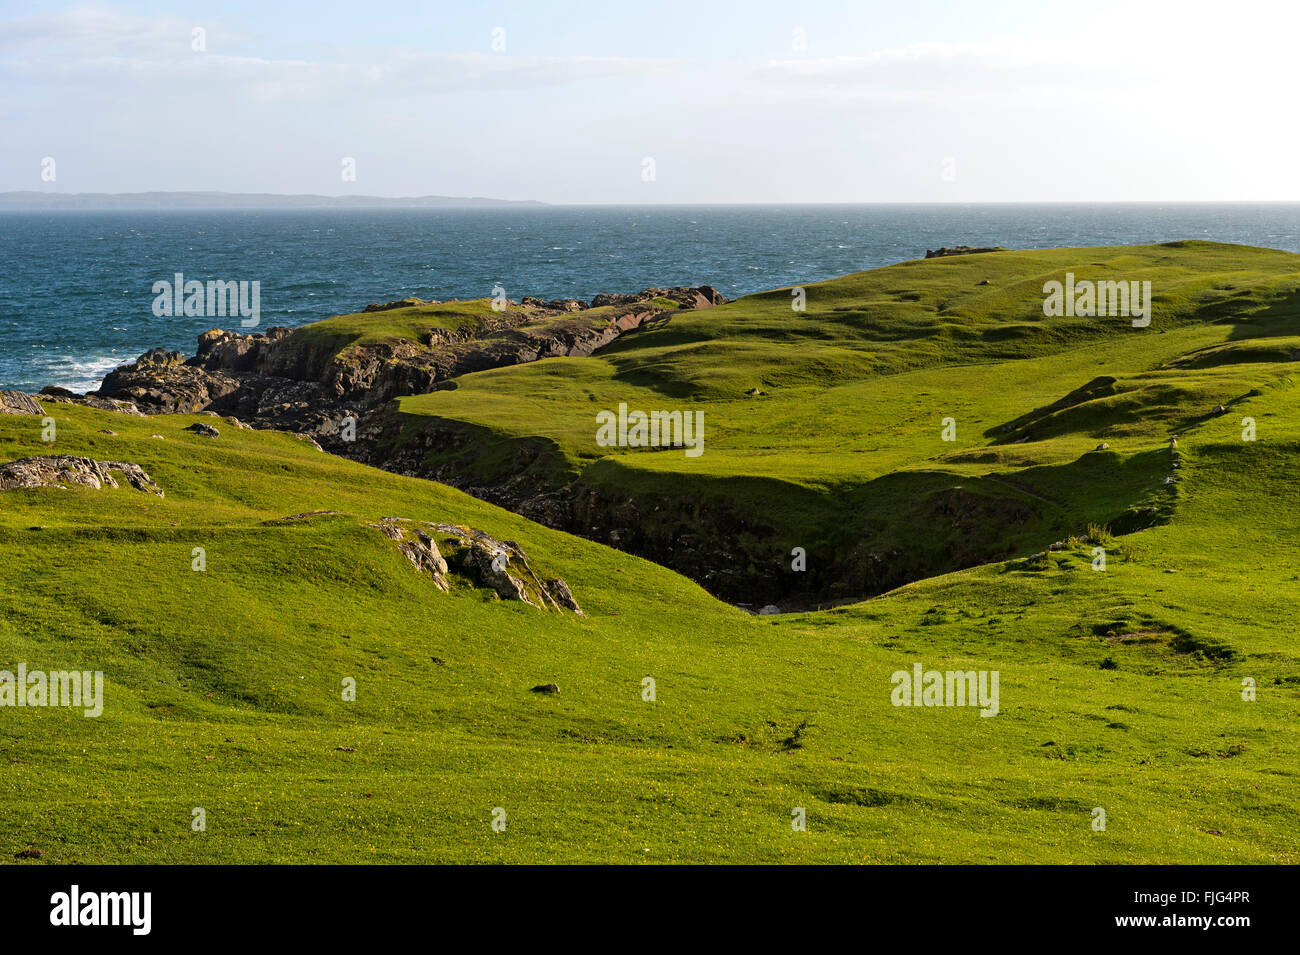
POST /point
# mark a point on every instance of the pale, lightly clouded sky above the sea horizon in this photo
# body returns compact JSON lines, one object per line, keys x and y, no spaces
{"x":657,"y":101}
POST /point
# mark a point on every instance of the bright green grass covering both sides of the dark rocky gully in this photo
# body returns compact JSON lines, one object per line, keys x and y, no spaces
{"x":1121,"y":689}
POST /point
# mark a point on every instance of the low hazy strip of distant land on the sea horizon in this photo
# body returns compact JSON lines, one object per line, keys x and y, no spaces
{"x":239,"y":201}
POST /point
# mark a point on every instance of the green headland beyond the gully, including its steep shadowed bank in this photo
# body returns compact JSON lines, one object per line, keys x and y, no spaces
{"x":843,"y":450}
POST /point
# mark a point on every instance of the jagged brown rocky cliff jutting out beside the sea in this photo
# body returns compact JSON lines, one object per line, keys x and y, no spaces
{"x":291,"y":381}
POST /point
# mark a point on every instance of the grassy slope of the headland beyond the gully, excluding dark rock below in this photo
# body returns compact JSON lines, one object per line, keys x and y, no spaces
{"x":860,"y":383}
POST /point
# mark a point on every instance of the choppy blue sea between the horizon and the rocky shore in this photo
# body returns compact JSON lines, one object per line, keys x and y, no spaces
{"x":76,"y":288}
